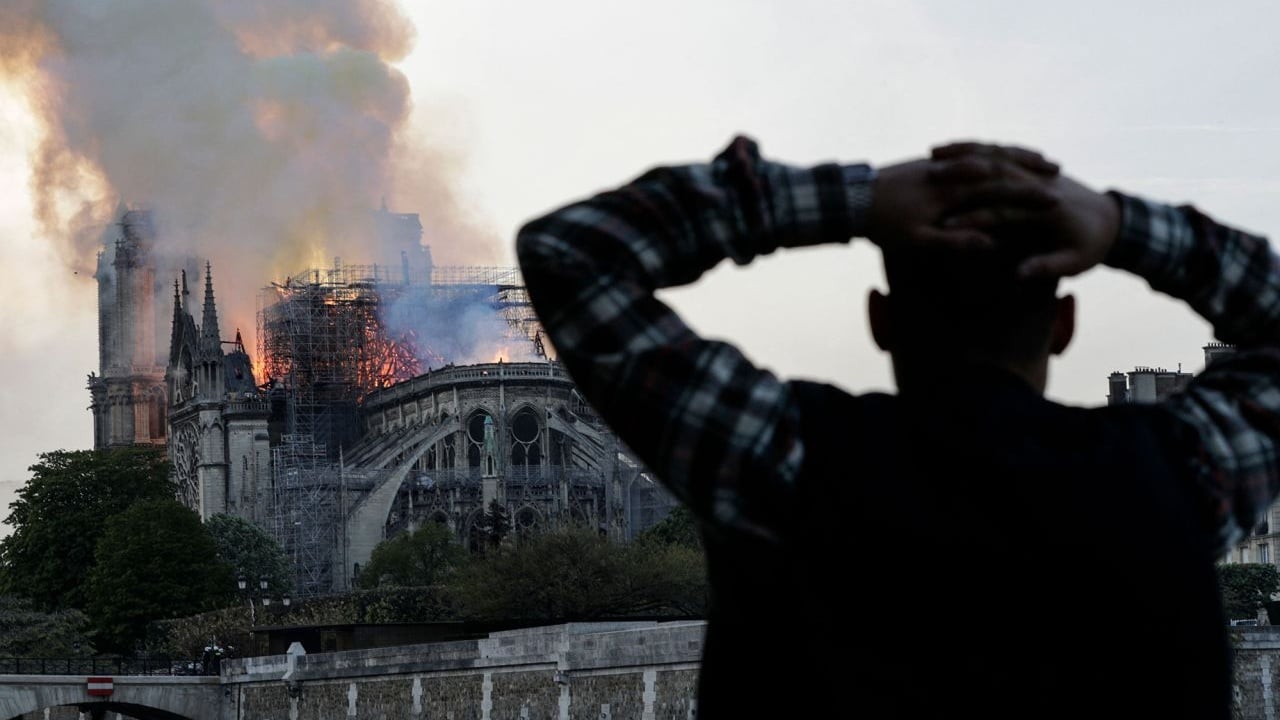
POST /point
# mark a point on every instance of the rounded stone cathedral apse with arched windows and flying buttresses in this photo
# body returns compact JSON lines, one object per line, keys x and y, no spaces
{"x":518,"y":434}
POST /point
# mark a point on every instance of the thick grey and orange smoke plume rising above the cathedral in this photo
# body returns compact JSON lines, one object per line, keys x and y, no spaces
{"x":259,"y":133}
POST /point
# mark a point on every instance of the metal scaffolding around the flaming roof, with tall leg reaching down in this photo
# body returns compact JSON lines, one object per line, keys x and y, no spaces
{"x":328,"y":338}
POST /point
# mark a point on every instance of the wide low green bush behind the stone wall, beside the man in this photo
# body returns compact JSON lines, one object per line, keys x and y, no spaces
{"x":578,"y":575}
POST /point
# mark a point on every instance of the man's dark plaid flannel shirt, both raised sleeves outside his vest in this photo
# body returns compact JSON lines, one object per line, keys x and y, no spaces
{"x":725,"y":435}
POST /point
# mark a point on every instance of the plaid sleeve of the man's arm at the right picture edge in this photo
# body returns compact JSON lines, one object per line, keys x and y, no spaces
{"x":1233,"y":280}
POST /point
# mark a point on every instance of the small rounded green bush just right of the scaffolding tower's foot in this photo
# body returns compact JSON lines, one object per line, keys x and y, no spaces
{"x":423,"y":558}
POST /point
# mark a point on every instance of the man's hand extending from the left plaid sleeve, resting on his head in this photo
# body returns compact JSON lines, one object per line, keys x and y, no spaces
{"x":911,"y":200}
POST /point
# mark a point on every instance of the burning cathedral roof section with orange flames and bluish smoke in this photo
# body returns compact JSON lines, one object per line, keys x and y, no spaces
{"x":332,"y":336}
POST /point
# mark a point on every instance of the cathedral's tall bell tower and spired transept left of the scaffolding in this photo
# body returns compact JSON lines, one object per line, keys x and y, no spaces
{"x":188,"y":395}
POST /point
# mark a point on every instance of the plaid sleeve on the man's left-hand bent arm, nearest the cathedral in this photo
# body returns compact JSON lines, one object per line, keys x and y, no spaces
{"x":721,"y":434}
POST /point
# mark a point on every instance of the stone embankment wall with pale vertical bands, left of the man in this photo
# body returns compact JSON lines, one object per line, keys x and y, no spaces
{"x":589,"y":671}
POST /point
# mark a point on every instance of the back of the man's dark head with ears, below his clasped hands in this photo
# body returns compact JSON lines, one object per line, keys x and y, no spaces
{"x":950,"y":307}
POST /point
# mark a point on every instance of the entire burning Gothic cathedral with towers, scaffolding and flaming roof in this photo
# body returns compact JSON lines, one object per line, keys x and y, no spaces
{"x":378,"y":398}
